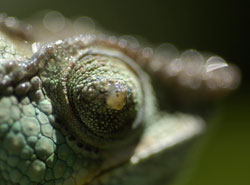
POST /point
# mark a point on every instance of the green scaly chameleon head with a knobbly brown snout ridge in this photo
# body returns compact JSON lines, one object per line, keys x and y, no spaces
{"x":89,"y":109}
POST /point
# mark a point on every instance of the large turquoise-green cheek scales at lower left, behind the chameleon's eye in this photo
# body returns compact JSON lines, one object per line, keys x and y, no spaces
{"x":32,"y":151}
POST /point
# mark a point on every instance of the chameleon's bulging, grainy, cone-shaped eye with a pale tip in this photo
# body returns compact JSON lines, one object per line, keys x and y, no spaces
{"x":96,"y":90}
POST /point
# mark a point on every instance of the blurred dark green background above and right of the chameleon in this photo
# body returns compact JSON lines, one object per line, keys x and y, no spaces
{"x":219,"y":26}
